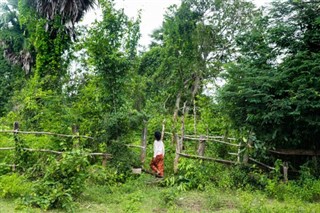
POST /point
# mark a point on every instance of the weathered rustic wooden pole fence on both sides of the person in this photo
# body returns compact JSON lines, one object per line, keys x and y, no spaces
{"x":242,"y":154}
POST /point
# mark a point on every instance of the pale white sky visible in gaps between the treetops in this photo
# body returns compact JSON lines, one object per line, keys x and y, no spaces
{"x":152,"y":12}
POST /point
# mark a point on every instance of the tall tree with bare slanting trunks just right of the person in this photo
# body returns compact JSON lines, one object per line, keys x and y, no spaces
{"x":194,"y":41}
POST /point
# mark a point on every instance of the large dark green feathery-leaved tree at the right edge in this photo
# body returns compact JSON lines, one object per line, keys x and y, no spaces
{"x":273,"y":87}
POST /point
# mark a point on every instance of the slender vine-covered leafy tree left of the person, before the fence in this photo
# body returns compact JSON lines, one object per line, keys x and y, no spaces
{"x":111,"y":48}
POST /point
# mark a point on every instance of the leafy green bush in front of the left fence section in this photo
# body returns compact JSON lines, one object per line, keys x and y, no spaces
{"x":63,"y":181}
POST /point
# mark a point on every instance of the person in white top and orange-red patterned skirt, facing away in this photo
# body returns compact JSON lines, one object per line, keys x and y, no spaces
{"x":157,"y":162}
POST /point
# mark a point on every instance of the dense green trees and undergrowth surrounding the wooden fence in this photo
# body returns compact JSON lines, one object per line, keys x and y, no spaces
{"x":267,"y":57}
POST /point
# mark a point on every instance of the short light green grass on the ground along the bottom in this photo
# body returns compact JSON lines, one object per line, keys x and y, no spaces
{"x":143,"y":194}
